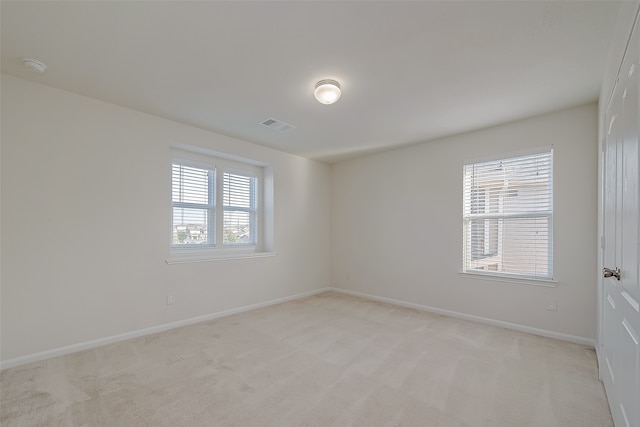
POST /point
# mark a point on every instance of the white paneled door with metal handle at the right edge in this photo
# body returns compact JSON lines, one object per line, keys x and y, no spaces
{"x":620,"y":334}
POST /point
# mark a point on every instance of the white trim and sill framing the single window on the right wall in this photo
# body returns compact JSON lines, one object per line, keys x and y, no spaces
{"x":514,"y":277}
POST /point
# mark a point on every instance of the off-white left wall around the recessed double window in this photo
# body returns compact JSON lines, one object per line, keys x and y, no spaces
{"x":85,"y":220}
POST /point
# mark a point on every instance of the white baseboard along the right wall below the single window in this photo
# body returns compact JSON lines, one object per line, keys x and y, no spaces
{"x":521,"y":328}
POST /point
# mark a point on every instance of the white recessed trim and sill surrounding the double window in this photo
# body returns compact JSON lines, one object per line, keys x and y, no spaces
{"x":203,"y":158}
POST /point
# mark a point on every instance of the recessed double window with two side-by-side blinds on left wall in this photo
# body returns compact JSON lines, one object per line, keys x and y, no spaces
{"x":215,"y":206}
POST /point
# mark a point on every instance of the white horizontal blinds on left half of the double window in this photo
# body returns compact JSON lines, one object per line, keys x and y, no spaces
{"x":193,"y":205}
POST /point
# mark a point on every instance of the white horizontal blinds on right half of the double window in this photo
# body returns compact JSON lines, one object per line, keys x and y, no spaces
{"x":240,"y":205}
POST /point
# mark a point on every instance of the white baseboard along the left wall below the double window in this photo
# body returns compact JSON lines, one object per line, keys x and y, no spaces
{"x":36,"y":357}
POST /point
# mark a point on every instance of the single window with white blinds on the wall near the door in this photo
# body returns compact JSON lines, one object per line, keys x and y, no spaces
{"x":508,"y":216}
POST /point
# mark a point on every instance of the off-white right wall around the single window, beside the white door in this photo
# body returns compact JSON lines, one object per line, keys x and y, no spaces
{"x":397,"y":225}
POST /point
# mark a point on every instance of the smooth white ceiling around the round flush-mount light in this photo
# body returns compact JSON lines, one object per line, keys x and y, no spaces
{"x":410,"y":71}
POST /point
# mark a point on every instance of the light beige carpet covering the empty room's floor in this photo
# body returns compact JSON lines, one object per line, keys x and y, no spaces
{"x":325,"y":360}
